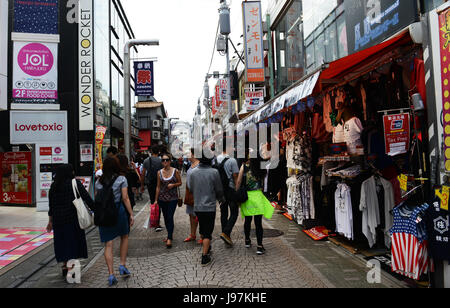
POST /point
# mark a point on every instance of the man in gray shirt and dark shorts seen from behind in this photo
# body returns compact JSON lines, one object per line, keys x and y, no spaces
{"x":205,"y":184}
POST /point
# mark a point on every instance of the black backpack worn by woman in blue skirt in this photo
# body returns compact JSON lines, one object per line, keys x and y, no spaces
{"x":106,"y":213}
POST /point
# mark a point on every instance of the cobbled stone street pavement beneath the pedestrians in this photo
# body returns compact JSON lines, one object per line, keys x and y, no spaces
{"x":292,"y":260}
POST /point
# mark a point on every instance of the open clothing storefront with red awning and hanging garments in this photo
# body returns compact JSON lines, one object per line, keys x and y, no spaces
{"x":355,"y":147}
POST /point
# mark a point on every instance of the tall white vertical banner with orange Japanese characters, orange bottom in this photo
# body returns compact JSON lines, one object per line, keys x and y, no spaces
{"x":253,"y":41}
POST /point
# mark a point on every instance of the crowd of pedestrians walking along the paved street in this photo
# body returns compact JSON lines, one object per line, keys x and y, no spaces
{"x":235,"y":185}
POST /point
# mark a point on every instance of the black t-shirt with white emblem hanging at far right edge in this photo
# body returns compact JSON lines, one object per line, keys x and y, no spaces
{"x":438,"y":228}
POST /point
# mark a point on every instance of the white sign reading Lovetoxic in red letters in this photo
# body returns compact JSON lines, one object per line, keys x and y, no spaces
{"x":32,"y":127}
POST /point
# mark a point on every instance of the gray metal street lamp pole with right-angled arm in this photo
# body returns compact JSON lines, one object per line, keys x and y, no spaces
{"x":127,"y":85}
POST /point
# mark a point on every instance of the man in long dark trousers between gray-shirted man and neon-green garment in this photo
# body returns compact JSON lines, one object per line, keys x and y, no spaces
{"x":229,"y":209}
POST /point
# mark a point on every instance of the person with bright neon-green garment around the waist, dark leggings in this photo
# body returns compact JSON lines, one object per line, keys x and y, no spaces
{"x":257,"y":206}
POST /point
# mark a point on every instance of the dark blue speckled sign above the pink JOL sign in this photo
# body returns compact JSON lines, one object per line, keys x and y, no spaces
{"x":37,"y":16}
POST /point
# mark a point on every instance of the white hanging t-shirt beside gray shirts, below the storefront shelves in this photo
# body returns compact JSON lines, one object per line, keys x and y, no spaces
{"x":343,"y":209}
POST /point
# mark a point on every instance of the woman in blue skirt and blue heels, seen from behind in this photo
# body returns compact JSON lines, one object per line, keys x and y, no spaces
{"x":111,"y":171}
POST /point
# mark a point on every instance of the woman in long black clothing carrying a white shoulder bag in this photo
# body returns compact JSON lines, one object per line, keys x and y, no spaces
{"x":67,"y":218}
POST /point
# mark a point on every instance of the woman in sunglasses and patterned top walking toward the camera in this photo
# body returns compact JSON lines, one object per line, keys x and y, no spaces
{"x":169,"y":180}
